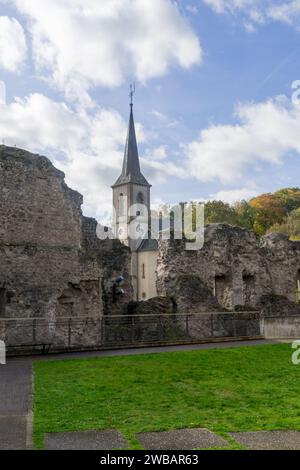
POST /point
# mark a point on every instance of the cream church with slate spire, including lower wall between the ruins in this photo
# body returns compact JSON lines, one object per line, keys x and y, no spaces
{"x":131,"y":199}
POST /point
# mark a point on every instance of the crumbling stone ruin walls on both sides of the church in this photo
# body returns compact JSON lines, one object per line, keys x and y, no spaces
{"x":56,"y":276}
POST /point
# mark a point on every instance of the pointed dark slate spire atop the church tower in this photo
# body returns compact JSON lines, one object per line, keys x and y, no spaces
{"x":131,"y":172}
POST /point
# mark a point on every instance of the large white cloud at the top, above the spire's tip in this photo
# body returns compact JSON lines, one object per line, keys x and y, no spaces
{"x":85,"y":43}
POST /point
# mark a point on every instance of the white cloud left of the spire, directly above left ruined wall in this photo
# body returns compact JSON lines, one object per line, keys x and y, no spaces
{"x":88,"y":148}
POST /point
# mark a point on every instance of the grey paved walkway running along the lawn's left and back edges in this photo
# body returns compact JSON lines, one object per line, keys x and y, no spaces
{"x":16,"y":386}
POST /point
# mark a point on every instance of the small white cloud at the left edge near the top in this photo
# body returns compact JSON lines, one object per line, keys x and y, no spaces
{"x":13,"y":48}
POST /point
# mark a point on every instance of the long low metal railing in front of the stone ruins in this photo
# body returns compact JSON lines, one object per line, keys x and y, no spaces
{"x":128,"y":330}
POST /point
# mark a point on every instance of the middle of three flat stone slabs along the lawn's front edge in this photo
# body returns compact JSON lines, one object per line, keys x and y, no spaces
{"x":181,"y":439}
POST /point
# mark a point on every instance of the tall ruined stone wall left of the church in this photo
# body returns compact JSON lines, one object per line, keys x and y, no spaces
{"x":52,"y":266}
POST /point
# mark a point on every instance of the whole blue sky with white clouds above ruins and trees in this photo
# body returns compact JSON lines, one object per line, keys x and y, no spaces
{"x":213,"y":103}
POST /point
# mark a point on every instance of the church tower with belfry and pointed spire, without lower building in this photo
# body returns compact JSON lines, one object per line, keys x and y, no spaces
{"x":131,"y":190}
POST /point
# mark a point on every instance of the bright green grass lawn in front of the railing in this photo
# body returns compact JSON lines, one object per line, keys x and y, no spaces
{"x":238,"y":389}
